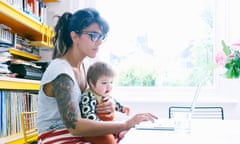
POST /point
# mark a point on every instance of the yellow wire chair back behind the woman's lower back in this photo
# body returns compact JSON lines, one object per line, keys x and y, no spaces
{"x":29,"y":130}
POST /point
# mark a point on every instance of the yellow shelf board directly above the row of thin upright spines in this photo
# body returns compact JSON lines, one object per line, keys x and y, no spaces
{"x":7,"y":83}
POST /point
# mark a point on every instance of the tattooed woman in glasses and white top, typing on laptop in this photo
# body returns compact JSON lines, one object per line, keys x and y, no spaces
{"x":77,"y":36}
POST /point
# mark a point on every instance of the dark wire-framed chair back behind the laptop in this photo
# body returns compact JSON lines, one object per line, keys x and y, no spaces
{"x":200,"y":112}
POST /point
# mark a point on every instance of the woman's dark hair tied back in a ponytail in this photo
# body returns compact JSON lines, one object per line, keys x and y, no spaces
{"x":69,"y":22}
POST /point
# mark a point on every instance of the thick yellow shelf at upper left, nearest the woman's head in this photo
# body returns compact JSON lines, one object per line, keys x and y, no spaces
{"x":24,"y":25}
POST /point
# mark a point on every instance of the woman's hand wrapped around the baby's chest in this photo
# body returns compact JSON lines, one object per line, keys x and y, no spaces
{"x":107,"y":107}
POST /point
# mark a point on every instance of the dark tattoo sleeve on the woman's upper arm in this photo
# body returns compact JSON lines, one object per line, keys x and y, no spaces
{"x":68,"y":106}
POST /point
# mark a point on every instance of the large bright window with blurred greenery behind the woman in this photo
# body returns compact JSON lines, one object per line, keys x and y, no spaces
{"x":160,"y":44}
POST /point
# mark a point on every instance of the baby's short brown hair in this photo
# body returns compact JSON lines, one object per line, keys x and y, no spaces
{"x":97,"y":70}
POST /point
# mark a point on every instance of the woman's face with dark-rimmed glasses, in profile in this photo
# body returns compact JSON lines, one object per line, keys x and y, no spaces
{"x":89,"y":41}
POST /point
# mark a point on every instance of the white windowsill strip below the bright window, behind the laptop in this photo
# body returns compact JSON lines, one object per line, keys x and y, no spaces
{"x":183,"y":96}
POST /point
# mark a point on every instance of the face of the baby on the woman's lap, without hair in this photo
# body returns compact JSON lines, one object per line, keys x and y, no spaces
{"x":103,"y":86}
